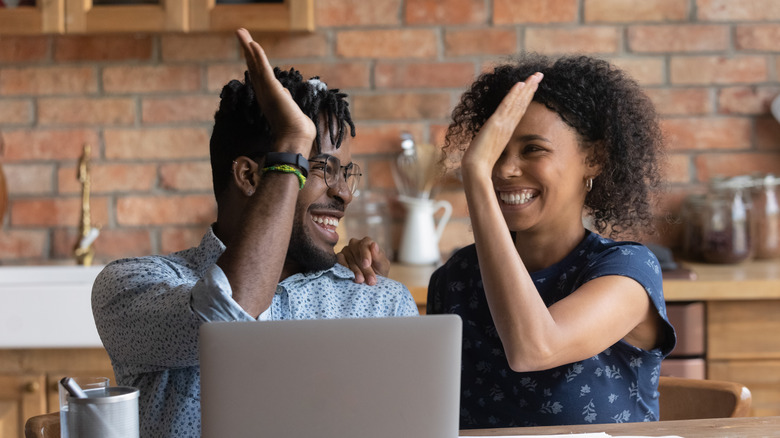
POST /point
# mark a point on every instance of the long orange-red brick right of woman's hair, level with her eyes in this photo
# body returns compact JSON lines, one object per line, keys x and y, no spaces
{"x":707,"y":134}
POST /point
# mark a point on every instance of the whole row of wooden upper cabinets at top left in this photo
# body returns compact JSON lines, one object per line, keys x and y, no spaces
{"x":84,"y":16}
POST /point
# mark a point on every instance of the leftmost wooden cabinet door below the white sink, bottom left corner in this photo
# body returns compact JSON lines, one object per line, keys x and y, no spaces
{"x":21,"y":397}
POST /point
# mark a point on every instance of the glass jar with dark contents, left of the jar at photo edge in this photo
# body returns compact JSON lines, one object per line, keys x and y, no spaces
{"x":726,"y":221}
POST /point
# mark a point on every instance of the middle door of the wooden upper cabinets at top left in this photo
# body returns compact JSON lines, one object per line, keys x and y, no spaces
{"x":96,"y":16}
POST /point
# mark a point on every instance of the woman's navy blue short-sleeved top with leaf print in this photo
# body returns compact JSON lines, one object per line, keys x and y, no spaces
{"x":618,"y":385}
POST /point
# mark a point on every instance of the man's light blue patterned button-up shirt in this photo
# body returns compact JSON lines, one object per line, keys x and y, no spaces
{"x":148,"y":311}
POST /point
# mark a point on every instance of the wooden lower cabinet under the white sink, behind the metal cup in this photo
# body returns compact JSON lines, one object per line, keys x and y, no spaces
{"x":28,"y":381}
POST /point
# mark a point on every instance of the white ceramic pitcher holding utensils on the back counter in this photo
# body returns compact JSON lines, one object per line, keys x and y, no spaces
{"x":420,"y":241}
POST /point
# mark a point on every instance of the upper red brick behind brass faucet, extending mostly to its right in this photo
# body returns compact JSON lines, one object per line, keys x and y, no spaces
{"x":109,"y":178}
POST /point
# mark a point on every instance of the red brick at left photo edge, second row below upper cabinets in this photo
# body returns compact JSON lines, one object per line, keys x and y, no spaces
{"x":48,"y":80}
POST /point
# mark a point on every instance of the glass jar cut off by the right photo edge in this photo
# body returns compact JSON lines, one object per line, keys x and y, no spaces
{"x":766,"y":216}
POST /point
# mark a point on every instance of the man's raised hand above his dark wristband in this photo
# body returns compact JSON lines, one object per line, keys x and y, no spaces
{"x":294,"y":131}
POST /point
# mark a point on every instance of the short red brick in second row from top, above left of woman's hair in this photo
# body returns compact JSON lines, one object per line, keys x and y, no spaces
{"x":488,"y":41}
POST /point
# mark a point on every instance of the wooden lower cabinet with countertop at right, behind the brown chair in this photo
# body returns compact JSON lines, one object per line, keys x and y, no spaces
{"x":741,"y":325}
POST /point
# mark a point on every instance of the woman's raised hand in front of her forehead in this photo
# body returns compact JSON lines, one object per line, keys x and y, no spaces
{"x":489,"y":143}
